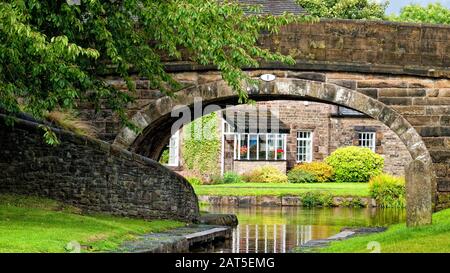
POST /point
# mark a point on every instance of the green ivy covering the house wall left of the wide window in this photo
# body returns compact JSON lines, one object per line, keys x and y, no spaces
{"x":201,"y":146}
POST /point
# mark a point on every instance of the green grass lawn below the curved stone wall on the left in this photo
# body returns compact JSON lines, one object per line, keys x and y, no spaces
{"x":32,"y":224}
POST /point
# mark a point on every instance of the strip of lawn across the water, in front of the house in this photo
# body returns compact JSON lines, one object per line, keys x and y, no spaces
{"x":274,"y":189}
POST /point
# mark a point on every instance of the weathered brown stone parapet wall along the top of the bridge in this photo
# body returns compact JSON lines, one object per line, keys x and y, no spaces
{"x":366,"y":46}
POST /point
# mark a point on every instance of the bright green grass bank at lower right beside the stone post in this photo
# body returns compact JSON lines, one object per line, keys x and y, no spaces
{"x":399,"y":239}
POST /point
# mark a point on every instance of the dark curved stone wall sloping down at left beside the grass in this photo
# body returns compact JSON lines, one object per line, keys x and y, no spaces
{"x":92,"y":175}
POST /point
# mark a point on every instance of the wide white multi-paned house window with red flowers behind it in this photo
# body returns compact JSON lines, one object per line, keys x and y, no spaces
{"x":260,"y":146}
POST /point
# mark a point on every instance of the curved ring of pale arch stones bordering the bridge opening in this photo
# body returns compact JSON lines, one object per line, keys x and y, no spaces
{"x":155,"y":122}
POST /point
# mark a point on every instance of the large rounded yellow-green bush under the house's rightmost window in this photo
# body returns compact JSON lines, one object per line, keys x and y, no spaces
{"x":355,"y":164}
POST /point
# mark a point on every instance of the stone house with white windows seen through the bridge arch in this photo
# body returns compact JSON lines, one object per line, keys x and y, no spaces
{"x":285,"y":133}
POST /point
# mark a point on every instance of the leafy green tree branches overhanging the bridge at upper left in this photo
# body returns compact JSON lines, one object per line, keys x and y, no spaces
{"x":52,"y":54}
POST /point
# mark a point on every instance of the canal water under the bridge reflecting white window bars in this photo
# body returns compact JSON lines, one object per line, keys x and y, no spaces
{"x":278,"y":230}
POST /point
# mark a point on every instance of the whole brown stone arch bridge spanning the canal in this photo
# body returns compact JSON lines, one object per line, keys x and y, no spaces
{"x":396,"y":73}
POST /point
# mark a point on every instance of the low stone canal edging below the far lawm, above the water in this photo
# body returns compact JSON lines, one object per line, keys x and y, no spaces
{"x":277,"y":201}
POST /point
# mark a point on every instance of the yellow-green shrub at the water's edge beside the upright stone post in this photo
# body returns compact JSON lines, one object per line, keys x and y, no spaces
{"x":389,"y":191}
